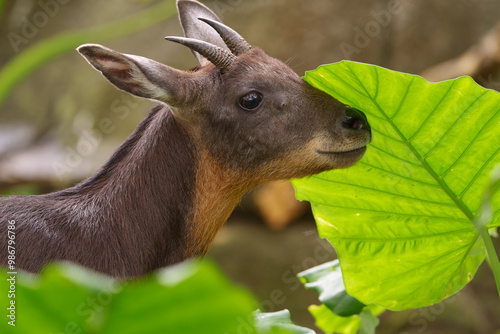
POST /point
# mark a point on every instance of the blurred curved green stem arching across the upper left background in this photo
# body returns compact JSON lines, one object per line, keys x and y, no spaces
{"x":35,"y":56}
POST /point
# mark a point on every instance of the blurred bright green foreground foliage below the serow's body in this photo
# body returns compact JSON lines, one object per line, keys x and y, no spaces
{"x":187,"y":298}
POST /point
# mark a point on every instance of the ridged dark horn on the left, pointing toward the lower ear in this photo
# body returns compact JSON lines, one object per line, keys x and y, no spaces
{"x":216,"y":55}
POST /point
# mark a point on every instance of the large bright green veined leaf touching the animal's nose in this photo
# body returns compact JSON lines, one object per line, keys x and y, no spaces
{"x":401,"y":219}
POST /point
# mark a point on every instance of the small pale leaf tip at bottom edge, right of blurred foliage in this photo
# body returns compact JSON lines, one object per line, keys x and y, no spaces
{"x":278,"y":323}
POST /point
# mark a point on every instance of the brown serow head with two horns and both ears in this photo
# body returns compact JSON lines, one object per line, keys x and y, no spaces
{"x":249,"y":111}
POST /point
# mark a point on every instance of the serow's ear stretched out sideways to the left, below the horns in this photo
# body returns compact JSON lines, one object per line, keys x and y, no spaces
{"x":137,"y":75}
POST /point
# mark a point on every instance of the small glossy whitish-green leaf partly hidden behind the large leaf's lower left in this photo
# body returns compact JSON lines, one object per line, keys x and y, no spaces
{"x":326,"y":280}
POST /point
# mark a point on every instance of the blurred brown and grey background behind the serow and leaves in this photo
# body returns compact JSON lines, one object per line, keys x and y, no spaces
{"x":51,"y":101}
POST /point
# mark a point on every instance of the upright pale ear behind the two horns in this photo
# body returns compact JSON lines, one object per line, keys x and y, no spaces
{"x":189,"y":14}
